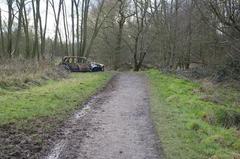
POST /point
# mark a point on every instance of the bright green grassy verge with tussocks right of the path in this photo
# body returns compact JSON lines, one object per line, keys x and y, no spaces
{"x":189,"y":125}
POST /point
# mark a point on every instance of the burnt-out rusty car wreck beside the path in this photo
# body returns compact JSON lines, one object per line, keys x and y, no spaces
{"x":80,"y":64}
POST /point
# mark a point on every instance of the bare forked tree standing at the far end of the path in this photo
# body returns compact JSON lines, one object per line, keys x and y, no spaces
{"x":142,"y":42}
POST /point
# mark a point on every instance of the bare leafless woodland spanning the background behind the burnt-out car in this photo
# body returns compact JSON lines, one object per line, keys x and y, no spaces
{"x":167,"y":34}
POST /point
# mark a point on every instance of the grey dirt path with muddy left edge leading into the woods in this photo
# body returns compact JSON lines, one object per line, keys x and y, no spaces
{"x":114,"y":124}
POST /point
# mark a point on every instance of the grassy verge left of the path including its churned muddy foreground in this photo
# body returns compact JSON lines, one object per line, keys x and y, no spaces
{"x":32,"y":115}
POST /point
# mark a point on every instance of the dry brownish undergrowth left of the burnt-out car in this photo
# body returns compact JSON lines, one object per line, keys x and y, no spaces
{"x":17,"y":74}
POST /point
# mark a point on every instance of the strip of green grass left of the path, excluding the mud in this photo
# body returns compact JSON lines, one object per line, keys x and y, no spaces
{"x":56,"y":98}
